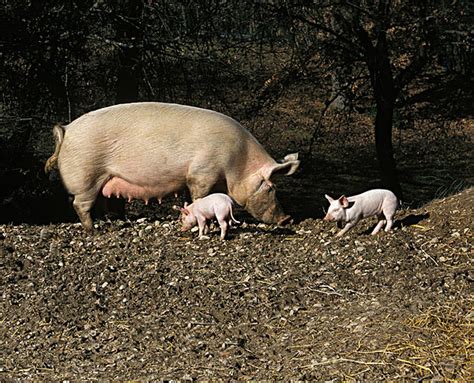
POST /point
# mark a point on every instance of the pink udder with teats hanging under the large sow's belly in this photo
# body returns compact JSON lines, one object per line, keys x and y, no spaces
{"x":121,"y":188}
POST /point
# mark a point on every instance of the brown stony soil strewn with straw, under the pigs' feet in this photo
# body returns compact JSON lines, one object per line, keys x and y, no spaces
{"x":140,"y":300}
